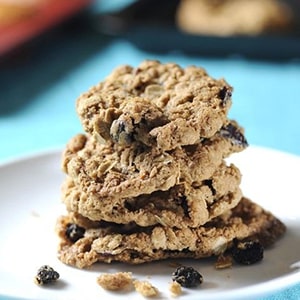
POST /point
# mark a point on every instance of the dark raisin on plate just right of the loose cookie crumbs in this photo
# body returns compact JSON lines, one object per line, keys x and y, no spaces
{"x":187,"y":276}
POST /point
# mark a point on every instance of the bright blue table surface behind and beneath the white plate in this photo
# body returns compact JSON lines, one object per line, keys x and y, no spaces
{"x":39,"y":86}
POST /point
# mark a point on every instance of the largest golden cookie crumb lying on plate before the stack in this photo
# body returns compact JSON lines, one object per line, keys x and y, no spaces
{"x":115,"y":282}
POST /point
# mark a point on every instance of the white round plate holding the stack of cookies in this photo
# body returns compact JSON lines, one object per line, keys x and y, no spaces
{"x":30,"y":204}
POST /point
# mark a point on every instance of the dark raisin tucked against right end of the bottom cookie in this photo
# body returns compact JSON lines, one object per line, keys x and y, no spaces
{"x":247,"y":252}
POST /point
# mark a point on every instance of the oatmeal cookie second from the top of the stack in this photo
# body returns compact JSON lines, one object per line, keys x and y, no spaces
{"x":110,"y":171}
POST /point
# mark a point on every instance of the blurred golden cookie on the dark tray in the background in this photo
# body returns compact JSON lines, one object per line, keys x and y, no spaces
{"x":233,"y":17}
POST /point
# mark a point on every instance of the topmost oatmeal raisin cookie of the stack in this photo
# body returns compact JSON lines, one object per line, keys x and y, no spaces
{"x":160,"y":105}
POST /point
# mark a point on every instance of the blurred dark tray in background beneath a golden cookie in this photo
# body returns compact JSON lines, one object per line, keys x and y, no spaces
{"x":151,"y":26}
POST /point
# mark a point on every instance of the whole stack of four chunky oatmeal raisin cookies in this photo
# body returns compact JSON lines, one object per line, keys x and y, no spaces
{"x":148,"y":180}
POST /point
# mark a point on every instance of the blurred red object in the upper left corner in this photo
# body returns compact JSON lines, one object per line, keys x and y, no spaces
{"x":47,"y":16}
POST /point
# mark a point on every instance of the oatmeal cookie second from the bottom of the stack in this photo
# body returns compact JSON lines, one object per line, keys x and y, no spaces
{"x":180,"y":206}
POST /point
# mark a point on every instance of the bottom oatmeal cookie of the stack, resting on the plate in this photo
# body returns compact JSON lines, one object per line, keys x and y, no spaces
{"x":112,"y":242}
